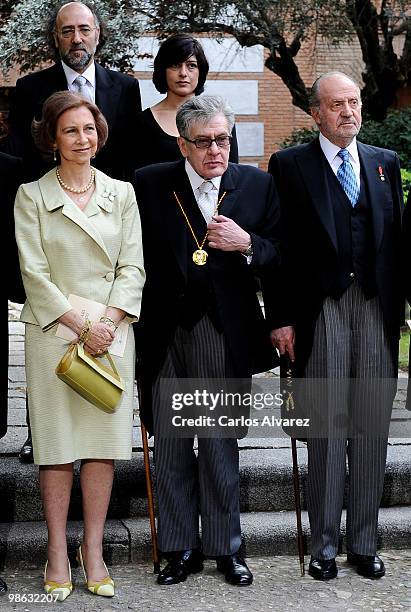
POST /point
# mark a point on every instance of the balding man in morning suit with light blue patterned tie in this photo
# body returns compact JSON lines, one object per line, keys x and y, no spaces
{"x":339,"y":312}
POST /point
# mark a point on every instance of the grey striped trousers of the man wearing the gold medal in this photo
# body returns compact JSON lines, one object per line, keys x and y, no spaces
{"x":189,"y":485}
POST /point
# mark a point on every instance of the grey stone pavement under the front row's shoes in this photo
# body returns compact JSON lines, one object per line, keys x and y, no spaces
{"x":277,"y":586}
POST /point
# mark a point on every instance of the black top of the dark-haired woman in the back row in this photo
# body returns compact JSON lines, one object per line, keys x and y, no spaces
{"x":154,"y":146}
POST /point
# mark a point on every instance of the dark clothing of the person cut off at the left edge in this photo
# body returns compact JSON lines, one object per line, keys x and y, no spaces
{"x":10,"y":170}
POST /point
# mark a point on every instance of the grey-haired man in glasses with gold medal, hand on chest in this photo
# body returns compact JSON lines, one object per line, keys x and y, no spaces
{"x":208,"y":226}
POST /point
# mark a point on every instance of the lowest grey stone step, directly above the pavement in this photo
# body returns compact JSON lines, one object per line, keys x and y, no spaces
{"x":128,"y":540}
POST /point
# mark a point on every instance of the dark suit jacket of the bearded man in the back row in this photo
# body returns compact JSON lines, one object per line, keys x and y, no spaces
{"x":117,"y":96}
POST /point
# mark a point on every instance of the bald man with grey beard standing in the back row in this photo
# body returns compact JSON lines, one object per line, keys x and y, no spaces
{"x":76,"y":29}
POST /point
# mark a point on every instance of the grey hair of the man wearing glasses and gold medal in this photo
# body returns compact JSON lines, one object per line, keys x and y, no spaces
{"x":202,"y":109}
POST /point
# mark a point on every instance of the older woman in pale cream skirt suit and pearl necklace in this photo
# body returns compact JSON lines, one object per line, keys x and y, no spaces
{"x":78,"y":232}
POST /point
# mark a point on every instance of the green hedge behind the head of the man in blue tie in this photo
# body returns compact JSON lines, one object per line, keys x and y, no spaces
{"x":393,"y":133}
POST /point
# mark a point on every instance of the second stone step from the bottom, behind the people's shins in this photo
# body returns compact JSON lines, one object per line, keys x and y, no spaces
{"x":265,"y":484}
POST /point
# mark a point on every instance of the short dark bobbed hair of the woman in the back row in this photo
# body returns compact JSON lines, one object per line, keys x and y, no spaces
{"x":175,"y":50}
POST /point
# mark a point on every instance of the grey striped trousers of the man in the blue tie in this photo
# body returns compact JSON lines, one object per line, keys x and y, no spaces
{"x":349,"y":342}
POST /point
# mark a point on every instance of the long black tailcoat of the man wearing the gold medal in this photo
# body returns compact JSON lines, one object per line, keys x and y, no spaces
{"x":251,"y":201}
